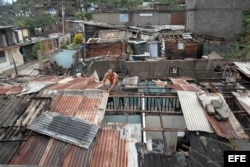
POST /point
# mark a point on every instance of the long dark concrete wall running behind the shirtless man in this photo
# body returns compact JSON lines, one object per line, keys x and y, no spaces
{"x":198,"y":69}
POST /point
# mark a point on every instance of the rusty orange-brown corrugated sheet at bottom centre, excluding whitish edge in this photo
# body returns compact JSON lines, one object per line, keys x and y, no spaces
{"x":110,"y":150}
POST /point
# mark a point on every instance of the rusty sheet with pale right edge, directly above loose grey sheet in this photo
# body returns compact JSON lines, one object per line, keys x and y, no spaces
{"x":87,"y":105}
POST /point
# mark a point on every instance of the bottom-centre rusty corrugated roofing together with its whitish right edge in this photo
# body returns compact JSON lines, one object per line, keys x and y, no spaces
{"x":115,"y":145}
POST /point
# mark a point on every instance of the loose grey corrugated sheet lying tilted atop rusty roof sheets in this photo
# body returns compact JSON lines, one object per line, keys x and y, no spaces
{"x":65,"y":128}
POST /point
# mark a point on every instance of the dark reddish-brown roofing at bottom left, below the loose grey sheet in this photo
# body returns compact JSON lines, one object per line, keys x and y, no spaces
{"x":51,"y":152}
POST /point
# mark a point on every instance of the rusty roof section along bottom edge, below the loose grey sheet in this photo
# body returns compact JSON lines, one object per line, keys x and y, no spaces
{"x":113,"y":146}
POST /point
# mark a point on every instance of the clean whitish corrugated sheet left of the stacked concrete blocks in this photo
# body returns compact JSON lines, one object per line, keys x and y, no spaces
{"x":193,"y":112}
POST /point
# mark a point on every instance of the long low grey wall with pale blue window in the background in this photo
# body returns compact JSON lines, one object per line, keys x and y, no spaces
{"x":142,"y":18}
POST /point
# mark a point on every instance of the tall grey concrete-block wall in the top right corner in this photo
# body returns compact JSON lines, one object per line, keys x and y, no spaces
{"x":218,"y":18}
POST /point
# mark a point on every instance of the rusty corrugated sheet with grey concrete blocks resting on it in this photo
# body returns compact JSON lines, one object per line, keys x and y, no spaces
{"x":231,"y":128}
